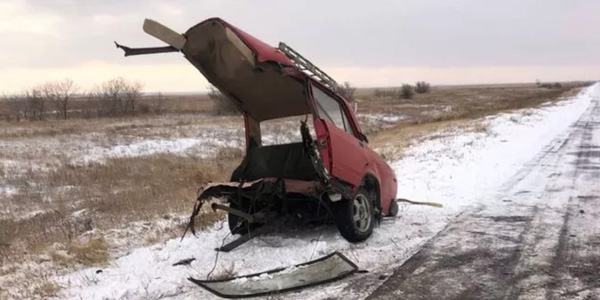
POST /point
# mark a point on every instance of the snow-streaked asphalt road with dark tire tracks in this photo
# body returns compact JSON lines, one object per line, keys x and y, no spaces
{"x":539,"y":239}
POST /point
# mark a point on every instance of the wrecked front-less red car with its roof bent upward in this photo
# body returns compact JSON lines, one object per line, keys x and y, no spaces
{"x":332,"y":174}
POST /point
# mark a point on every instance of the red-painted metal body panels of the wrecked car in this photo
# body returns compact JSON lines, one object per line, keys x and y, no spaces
{"x":345,"y":155}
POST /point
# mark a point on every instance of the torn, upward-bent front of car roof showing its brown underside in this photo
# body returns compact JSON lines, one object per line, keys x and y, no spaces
{"x":253,"y":74}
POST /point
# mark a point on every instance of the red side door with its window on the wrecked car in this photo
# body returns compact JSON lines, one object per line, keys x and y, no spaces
{"x":336,"y":137}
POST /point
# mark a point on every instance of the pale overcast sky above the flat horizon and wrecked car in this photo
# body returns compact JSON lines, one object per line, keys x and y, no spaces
{"x":369,"y":43}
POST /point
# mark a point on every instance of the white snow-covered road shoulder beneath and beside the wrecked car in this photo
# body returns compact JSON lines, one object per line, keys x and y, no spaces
{"x":458,"y":169}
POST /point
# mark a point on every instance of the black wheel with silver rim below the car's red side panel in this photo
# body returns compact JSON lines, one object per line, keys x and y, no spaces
{"x":350,"y":215}
